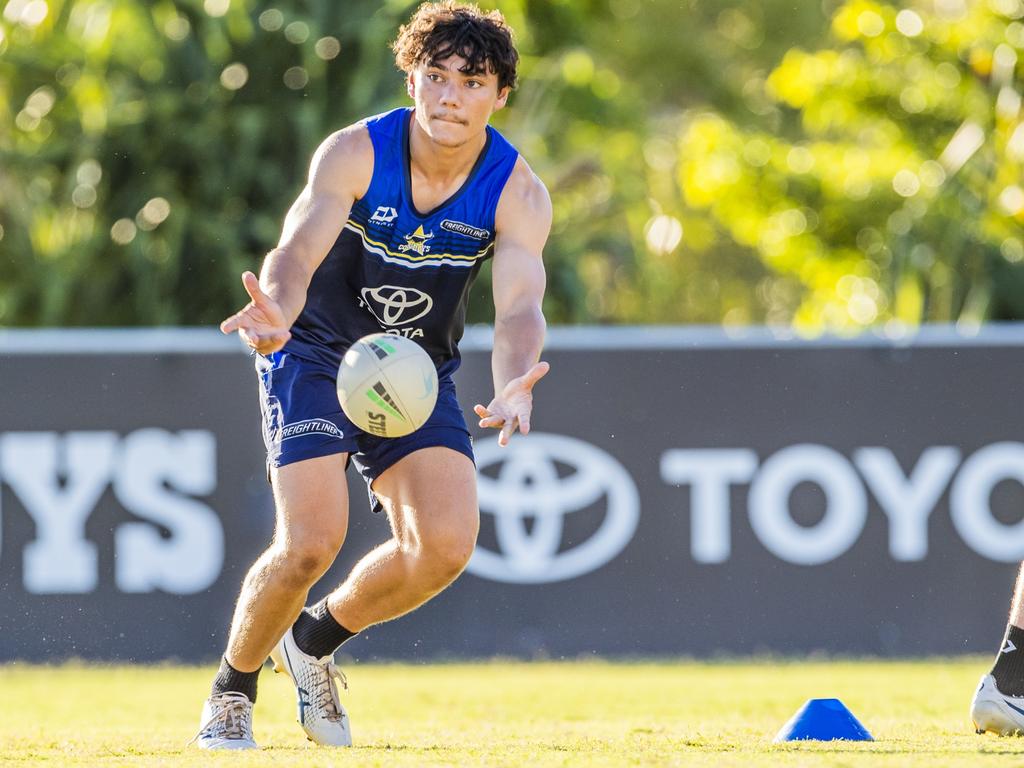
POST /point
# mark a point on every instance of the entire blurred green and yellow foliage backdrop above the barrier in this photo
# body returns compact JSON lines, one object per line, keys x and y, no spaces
{"x":835,"y":167}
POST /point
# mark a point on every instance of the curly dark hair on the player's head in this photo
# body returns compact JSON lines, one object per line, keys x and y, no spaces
{"x":445,"y":29}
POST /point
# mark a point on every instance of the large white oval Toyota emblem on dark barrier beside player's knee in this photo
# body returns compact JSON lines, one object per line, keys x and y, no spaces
{"x":529,"y":487}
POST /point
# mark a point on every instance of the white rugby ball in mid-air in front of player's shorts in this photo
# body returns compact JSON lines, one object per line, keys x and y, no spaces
{"x":388,"y":386}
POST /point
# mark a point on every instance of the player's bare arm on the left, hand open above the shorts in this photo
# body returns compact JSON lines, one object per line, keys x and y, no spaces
{"x":339,"y":175}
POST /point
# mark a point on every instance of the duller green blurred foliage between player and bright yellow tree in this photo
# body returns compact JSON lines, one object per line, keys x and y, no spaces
{"x":606,"y":90}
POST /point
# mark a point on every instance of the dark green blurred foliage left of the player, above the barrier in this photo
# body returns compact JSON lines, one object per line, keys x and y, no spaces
{"x":151,"y":150}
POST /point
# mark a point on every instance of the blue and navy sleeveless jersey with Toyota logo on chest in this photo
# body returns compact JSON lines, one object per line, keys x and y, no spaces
{"x":397,"y":270}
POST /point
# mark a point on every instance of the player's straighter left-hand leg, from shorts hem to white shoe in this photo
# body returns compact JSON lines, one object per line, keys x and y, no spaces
{"x":312,"y":501}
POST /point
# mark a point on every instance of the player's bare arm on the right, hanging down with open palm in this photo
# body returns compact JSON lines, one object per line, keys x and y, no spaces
{"x":523,"y":224}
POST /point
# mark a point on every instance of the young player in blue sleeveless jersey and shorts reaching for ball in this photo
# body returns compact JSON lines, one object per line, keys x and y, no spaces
{"x":398,"y":216}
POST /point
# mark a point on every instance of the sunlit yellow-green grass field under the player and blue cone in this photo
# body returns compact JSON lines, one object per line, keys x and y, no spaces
{"x":513,"y":714}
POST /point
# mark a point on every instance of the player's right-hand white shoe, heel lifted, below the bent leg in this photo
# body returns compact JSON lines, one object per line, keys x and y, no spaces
{"x":321,"y":713}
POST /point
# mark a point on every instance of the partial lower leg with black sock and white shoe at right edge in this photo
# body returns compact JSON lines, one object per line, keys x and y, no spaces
{"x":999,"y":703}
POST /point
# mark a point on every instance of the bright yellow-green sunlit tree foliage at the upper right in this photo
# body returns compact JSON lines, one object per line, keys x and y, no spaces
{"x":886,"y":186}
